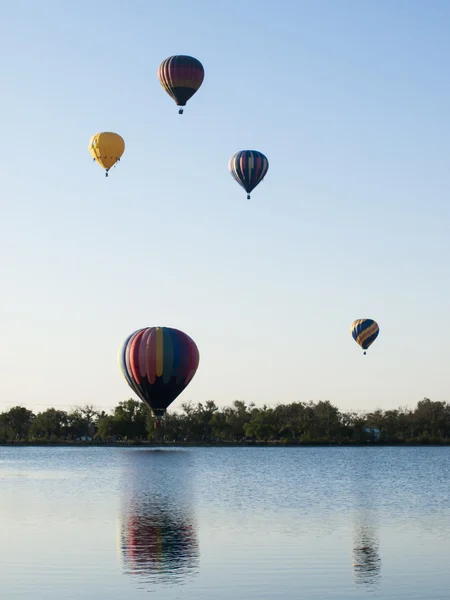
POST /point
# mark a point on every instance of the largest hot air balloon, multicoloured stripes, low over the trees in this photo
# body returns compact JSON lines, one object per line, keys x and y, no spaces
{"x":158,"y":363}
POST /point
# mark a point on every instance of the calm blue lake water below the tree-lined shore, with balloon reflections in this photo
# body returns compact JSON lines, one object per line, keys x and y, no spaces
{"x":225,"y":523}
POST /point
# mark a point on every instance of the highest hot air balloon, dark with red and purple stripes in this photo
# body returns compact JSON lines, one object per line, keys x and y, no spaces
{"x":181,"y":76}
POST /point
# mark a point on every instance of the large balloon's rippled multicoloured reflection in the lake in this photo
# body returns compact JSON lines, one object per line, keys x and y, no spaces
{"x":158,"y":536}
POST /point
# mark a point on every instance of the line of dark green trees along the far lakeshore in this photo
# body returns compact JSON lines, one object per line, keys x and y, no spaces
{"x":299,"y":423}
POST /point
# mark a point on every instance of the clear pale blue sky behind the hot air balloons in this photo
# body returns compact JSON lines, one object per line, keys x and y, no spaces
{"x":350,"y":102}
